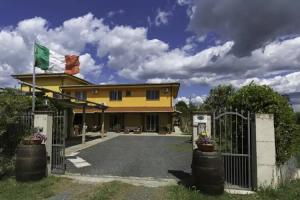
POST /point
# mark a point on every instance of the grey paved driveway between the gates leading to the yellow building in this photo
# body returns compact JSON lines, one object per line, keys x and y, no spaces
{"x":132,"y":156}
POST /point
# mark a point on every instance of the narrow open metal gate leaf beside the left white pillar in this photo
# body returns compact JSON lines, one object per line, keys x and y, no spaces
{"x":58,"y":142}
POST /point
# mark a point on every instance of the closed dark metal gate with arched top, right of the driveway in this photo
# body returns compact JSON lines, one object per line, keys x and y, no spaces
{"x":232,"y":133}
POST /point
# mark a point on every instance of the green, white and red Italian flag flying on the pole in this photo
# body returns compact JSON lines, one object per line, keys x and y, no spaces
{"x":47,"y":59}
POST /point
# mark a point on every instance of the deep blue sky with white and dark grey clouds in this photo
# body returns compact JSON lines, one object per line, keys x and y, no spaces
{"x":199,"y":43}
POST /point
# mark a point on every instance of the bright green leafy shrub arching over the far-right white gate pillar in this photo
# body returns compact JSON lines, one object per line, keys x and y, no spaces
{"x":263,"y":99}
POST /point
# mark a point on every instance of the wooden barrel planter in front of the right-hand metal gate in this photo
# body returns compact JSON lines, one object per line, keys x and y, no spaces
{"x":208,"y":172}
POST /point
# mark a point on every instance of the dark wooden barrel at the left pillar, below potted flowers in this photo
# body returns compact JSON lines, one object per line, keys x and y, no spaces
{"x":31,"y":162}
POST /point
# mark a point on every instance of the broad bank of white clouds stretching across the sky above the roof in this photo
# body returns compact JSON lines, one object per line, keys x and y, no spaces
{"x":129,"y":51}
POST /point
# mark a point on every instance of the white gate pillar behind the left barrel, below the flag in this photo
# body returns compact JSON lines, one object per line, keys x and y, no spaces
{"x":45,"y":120}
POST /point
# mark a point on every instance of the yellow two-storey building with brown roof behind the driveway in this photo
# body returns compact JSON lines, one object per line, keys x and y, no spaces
{"x":130,"y":106}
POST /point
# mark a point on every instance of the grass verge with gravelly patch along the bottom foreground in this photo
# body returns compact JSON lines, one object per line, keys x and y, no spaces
{"x":51,"y":186}
